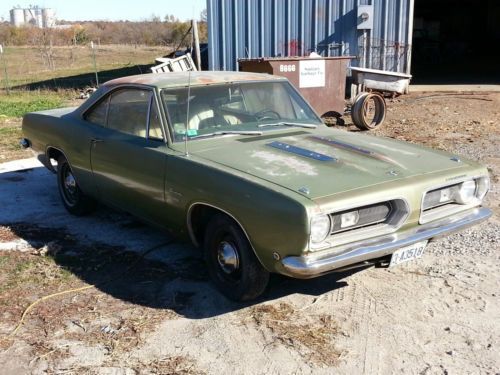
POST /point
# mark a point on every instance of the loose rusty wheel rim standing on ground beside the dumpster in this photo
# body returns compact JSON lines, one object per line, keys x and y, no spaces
{"x":359,"y":112}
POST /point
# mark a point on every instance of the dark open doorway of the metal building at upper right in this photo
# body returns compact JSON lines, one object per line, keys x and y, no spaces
{"x":456,"y":42}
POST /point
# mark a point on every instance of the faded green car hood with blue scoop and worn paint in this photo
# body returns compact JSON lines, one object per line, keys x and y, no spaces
{"x":325,"y":161}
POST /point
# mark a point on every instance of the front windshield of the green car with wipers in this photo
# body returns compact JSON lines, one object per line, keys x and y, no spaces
{"x":238,"y":108}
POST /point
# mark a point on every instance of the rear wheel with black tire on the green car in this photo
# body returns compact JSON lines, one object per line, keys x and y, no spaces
{"x":72,"y":196}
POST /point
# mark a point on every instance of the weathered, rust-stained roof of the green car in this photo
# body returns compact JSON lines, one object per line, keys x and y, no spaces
{"x":180,"y":79}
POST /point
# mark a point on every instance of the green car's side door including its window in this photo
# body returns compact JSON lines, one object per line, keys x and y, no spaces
{"x":128,"y":156}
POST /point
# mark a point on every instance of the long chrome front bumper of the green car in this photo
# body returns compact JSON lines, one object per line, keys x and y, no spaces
{"x":316,"y":264}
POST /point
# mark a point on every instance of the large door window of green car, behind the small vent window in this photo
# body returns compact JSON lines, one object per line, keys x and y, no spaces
{"x":128,"y":111}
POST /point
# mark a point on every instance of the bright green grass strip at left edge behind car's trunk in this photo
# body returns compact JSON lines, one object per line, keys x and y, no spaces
{"x":17,"y":104}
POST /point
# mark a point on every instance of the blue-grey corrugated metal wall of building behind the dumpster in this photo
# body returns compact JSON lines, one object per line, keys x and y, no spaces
{"x":270,"y":28}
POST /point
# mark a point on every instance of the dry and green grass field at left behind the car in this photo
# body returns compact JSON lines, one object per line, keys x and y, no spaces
{"x":73,"y":68}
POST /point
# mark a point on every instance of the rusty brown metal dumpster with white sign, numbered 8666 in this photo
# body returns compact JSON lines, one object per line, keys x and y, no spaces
{"x":321,"y":80}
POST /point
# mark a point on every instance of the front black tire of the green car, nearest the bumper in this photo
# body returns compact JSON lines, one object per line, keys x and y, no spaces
{"x":245,"y":278}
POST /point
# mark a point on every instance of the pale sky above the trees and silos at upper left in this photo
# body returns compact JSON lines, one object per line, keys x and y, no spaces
{"x":112,"y":10}
